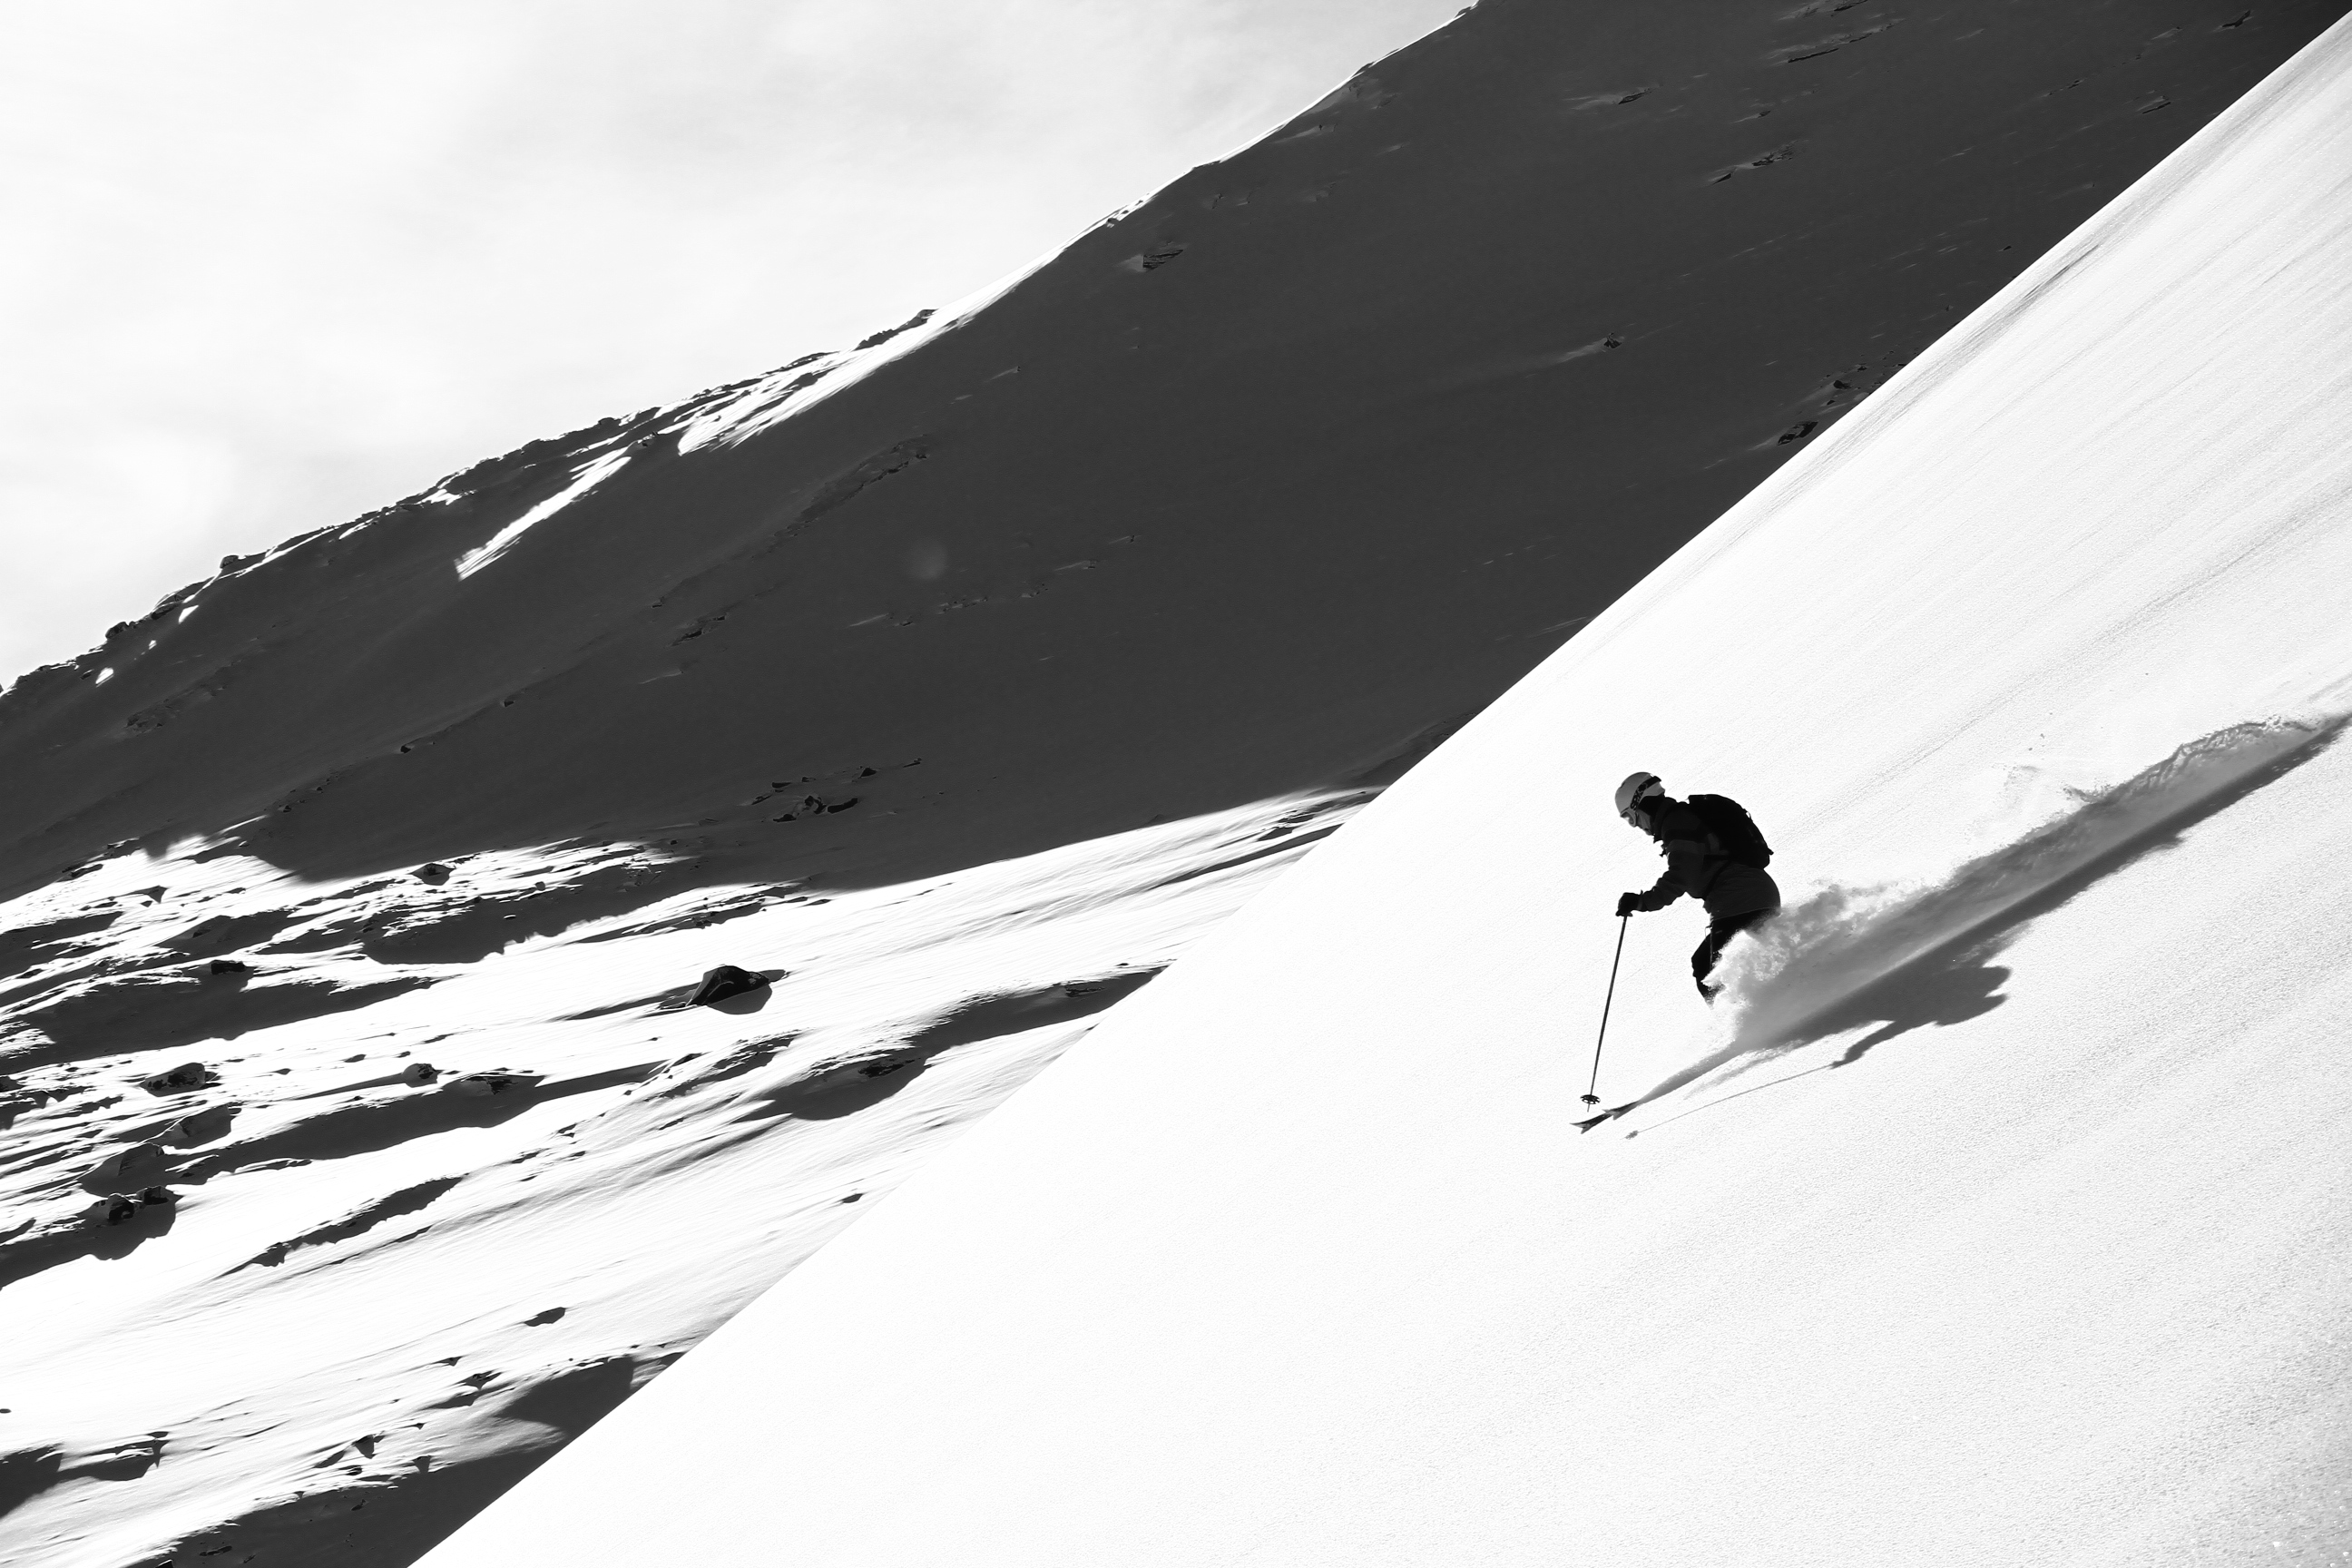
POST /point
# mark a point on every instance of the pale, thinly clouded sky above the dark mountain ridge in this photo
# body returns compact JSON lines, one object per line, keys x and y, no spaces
{"x":276,"y":262}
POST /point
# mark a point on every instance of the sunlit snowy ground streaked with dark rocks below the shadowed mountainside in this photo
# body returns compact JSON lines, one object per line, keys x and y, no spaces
{"x":377,"y":1301}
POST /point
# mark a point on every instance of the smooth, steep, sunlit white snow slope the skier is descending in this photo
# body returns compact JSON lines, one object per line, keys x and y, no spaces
{"x":2036,"y":674}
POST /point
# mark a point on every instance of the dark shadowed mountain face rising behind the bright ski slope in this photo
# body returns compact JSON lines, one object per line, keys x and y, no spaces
{"x":1252,"y":490}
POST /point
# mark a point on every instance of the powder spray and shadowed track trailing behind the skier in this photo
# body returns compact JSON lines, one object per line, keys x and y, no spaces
{"x":1831,"y":963}
